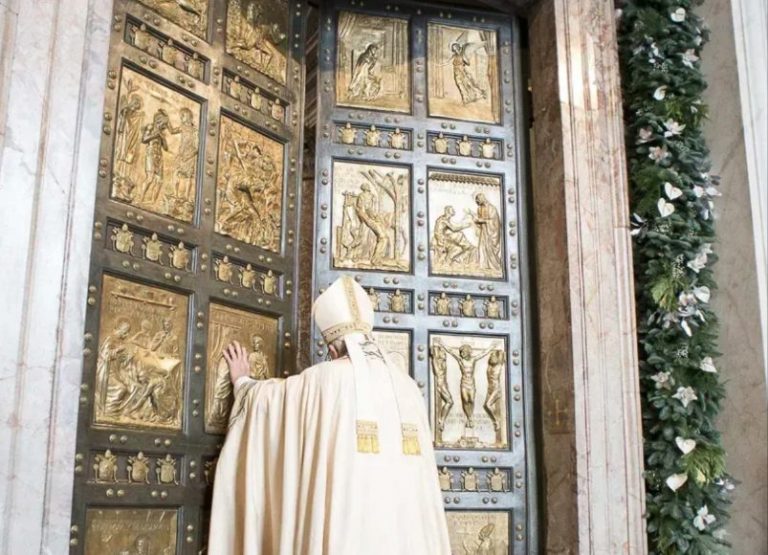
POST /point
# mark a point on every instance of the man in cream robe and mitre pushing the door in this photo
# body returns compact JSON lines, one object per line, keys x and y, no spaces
{"x":337,"y":460}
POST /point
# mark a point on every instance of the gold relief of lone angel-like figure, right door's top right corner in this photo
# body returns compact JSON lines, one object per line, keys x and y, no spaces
{"x":463,"y":80}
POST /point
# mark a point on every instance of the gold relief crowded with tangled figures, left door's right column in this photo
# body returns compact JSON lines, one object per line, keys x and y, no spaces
{"x":249,"y":187}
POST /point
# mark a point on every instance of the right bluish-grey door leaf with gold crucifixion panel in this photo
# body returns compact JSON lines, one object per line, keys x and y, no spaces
{"x":419,"y":197}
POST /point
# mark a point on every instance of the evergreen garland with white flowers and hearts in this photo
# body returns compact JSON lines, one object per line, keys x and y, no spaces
{"x":672,"y":192}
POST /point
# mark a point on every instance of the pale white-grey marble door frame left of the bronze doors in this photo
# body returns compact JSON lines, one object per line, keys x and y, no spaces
{"x":52,"y":74}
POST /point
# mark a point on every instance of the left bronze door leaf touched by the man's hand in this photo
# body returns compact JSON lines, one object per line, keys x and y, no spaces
{"x":194,"y":245}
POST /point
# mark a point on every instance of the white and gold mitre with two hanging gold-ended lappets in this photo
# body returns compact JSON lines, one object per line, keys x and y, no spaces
{"x":344,"y":311}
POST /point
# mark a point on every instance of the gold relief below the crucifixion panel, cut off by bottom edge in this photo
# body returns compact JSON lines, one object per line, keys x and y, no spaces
{"x":478,"y":532}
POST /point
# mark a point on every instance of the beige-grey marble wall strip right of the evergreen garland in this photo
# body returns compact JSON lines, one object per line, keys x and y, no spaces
{"x":744,"y":419}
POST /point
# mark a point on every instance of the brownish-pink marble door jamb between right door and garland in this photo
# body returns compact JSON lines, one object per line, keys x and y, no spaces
{"x":591,"y":441}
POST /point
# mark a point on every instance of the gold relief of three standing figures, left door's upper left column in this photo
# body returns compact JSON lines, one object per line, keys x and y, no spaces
{"x":156,"y":147}
